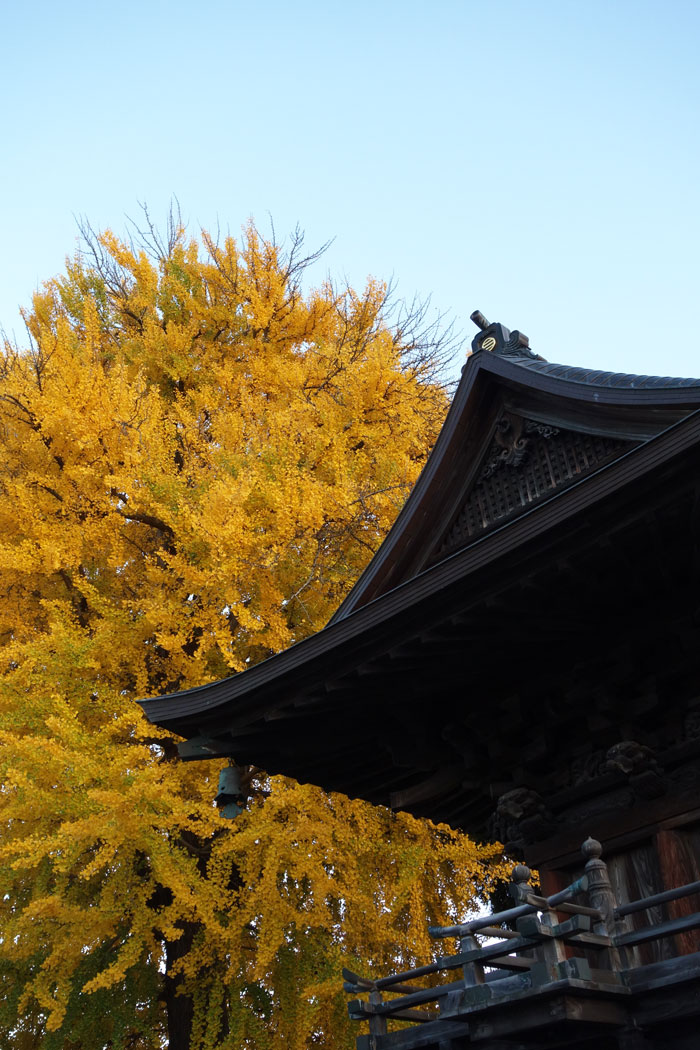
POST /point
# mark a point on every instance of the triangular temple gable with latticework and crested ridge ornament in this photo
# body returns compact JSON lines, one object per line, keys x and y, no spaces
{"x":520,"y":432}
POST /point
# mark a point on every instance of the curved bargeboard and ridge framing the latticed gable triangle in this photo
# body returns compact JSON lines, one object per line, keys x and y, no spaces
{"x":511,"y":377}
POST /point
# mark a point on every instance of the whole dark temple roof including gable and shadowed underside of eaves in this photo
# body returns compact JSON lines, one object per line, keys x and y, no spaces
{"x":542,"y":578}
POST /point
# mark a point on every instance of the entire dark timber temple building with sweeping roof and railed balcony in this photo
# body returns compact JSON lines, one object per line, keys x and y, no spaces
{"x":521,"y":660}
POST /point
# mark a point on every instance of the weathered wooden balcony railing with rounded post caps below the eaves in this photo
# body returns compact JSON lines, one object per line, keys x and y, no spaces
{"x":543,"y":946}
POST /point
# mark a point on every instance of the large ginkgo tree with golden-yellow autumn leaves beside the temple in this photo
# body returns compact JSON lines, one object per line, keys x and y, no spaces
{"x":198,"y":458}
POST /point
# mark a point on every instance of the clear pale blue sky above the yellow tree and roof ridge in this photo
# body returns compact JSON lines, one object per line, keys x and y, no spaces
{"x":536,"y":160}
